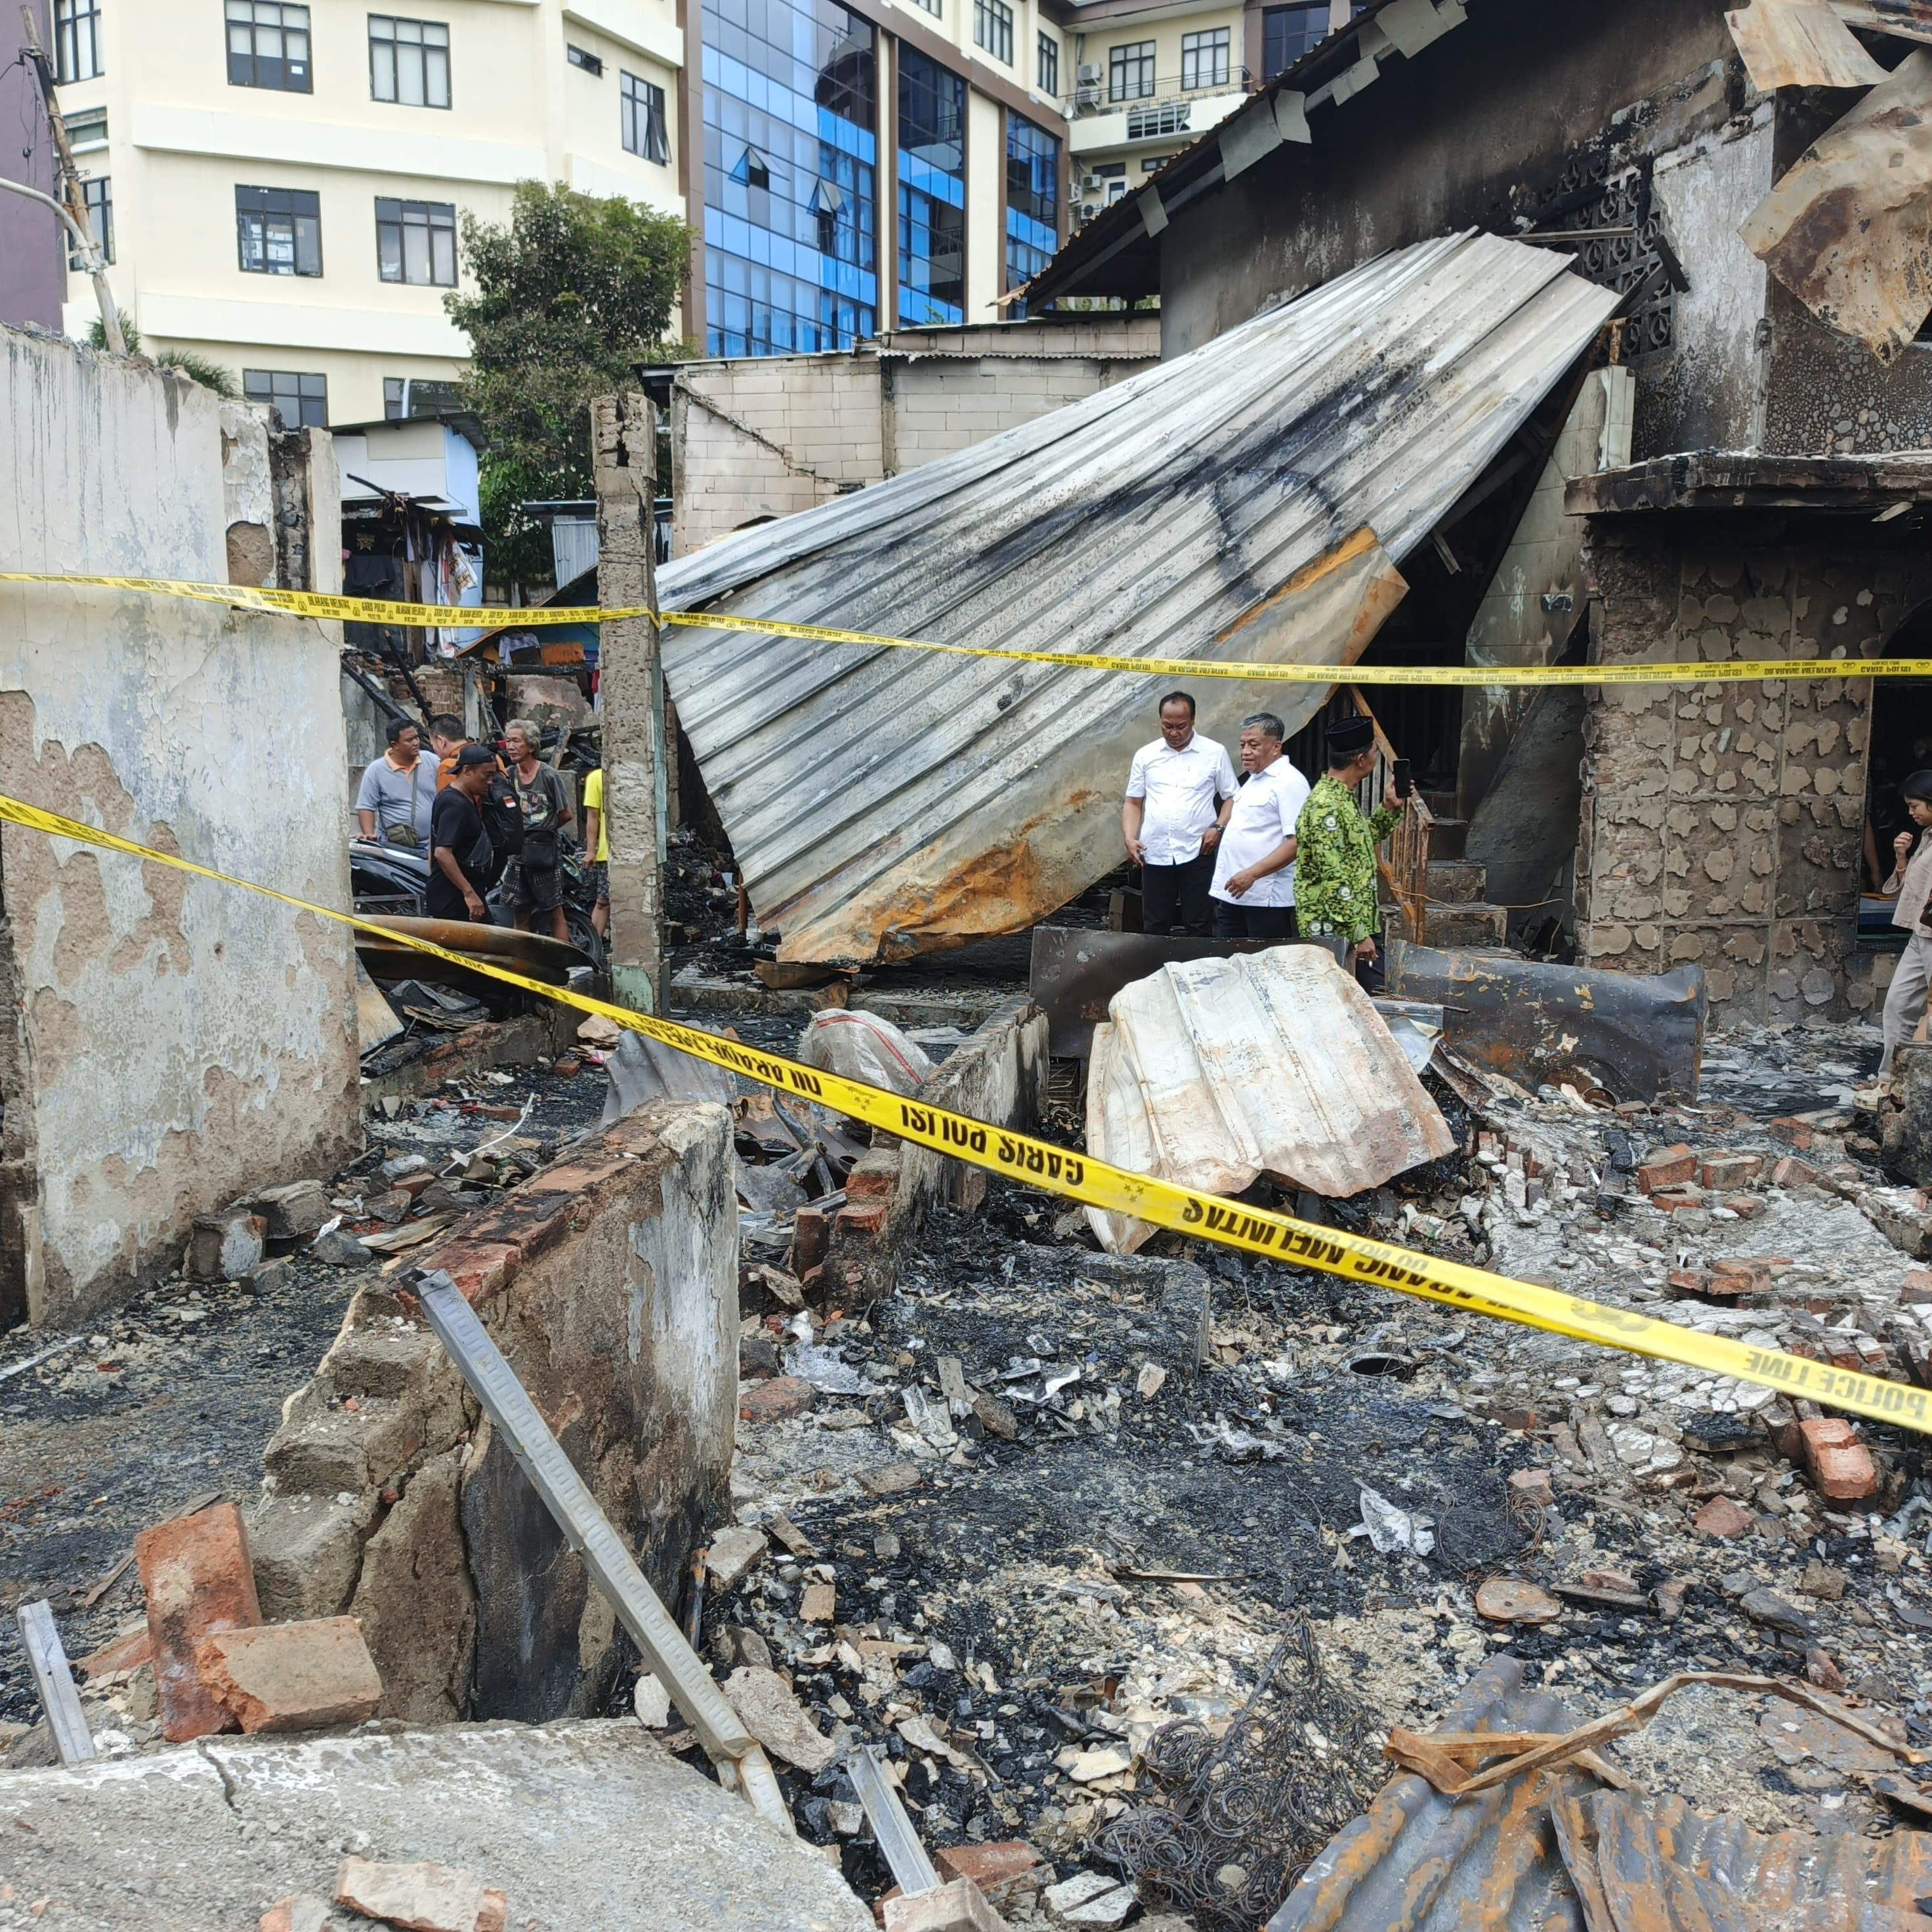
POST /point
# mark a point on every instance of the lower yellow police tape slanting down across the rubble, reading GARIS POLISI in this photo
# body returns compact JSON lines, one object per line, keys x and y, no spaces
{"x":1096,"y":1185}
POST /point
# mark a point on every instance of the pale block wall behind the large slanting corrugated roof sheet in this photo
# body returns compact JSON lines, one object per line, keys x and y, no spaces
{"x":764,"y":436}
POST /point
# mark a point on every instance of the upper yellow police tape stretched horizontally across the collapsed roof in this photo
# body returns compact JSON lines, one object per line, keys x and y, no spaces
{"x":378,"y":611}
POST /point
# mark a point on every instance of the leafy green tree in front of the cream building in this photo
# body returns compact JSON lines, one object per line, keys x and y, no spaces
{"x":571,"y":295}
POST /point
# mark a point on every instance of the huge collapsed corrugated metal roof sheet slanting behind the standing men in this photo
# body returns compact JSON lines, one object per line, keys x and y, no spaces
{"x":1243,"y":501}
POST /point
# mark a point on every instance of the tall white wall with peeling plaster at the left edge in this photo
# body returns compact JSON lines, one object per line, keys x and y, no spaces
{"x":175,"y":1044}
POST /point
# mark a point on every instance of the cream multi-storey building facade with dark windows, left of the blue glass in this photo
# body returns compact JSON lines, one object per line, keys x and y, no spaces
{"x":285,"y":181}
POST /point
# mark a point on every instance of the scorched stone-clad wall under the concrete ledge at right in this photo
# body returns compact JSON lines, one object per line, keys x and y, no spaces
{"x":1722,"y":824}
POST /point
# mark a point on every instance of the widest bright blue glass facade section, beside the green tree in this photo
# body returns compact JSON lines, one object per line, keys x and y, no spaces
{"x":791,"y":177}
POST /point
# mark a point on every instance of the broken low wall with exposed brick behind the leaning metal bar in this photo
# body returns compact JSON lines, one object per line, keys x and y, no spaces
{"x":611,"y":1284}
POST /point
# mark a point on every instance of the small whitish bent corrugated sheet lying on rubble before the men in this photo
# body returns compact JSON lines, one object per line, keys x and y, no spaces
{"x":1212,"y":1073}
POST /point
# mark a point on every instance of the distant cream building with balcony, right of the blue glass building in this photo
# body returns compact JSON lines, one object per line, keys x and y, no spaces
{"x":1151,"y":76}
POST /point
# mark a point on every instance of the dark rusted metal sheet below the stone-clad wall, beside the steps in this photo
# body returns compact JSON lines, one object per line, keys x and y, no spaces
{"x":1634,"y":1035}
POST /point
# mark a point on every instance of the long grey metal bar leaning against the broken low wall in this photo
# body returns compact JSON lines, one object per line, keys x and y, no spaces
{"x":741,"y":1761}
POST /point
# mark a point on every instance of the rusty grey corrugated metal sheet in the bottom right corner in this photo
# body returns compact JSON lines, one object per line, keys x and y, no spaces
{"x":1560,"y":1854}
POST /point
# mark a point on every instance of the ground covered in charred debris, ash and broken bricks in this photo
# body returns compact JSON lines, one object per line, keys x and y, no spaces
{"x":1040,"y":1502}
